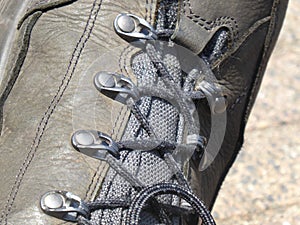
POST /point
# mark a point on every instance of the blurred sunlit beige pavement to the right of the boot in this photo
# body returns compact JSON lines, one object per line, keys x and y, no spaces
{"x":263,"y":186}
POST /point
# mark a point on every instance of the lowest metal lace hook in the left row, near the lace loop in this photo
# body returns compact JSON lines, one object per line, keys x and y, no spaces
{"x":63,"y":205}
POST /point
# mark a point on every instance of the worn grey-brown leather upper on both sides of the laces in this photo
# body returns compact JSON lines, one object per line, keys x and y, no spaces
{"x":47,"y":93}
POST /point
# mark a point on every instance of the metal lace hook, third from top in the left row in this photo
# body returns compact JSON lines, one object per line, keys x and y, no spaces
{"x":94,"y":144}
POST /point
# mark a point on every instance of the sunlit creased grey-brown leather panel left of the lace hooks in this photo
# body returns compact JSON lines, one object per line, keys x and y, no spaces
{"x":36,"y":154}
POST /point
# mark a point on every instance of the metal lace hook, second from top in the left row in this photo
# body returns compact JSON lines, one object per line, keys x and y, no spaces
{"x":116,"y":87}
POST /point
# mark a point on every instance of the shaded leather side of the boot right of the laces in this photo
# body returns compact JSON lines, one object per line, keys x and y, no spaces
{"x":256,"y":25}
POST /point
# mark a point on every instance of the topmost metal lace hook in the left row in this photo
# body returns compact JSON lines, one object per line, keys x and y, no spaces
{"x":132,"y":27}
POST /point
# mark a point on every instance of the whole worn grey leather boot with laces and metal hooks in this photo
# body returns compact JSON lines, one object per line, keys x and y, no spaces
{"x":126,"y":112}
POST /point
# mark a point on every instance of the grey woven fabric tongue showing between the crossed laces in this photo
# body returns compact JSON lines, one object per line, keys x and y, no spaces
{"x":146,"y":166}
